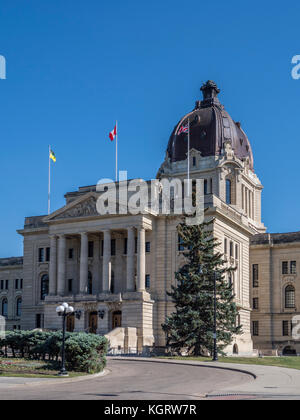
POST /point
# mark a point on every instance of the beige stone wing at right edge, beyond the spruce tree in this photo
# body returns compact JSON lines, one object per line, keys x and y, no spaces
{"x":275,"y":294}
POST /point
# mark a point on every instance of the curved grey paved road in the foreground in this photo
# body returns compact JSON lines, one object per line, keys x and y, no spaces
{"x":135,"y":380}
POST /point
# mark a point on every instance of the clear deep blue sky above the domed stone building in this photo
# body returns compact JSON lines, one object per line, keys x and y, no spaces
{"x":74,"y":67}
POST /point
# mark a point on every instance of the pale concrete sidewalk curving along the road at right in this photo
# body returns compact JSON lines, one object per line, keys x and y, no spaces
{"x":267,"y":381}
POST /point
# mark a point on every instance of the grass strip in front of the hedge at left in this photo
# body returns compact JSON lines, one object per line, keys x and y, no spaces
{"x":24,"y":368}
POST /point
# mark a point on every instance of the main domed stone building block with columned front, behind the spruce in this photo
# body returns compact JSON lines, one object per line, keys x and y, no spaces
{"x":116,"y":269}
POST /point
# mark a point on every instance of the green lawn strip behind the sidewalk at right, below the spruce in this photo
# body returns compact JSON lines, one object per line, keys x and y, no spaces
{"x":288,"y":362}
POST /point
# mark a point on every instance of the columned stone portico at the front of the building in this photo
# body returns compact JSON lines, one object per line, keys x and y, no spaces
{"x":100,"y":270}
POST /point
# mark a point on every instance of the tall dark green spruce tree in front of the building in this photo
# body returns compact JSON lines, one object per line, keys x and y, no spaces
{"x":191,"y":325}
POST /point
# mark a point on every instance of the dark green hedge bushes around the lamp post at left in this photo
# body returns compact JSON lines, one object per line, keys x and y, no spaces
{"x":84,"y":352}
